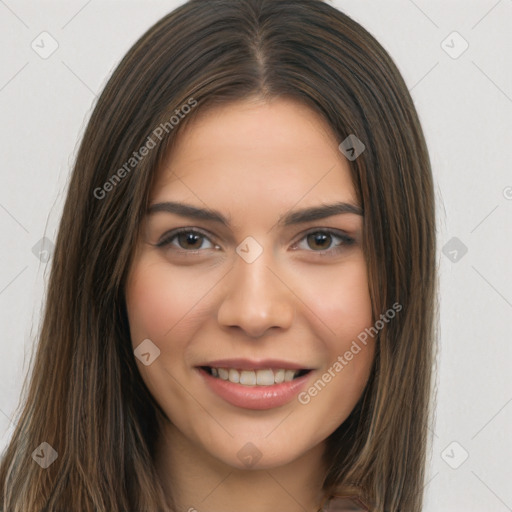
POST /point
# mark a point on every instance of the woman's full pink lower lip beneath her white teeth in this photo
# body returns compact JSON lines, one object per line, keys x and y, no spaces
{"x":255,"y":397}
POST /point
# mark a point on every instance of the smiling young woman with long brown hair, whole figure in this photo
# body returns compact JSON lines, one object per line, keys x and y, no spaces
{"x":241,"y":307}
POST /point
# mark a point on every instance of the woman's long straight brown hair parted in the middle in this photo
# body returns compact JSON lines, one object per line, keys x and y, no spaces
{"x":86,"y":398}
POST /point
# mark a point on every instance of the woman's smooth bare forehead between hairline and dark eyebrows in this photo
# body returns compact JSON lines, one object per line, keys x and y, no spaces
{"x":254,"y":152}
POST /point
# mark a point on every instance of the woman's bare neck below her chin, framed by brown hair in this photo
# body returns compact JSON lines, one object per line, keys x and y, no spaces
{"x":199,"y":482}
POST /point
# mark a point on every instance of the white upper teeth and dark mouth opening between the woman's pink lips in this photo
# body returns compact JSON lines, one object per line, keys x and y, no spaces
{"x":264,"y":377}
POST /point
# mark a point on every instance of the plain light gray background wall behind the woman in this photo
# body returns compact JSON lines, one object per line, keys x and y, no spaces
{"x":465,"y":105}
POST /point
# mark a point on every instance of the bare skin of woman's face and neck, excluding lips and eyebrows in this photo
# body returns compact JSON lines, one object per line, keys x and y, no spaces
{"x":253,"y":161}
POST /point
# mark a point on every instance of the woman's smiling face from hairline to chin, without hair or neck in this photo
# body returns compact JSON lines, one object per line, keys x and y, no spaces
{"x":247,"y":291}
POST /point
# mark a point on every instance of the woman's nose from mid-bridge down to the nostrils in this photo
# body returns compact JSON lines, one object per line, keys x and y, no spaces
{"x":255,"y":299}
